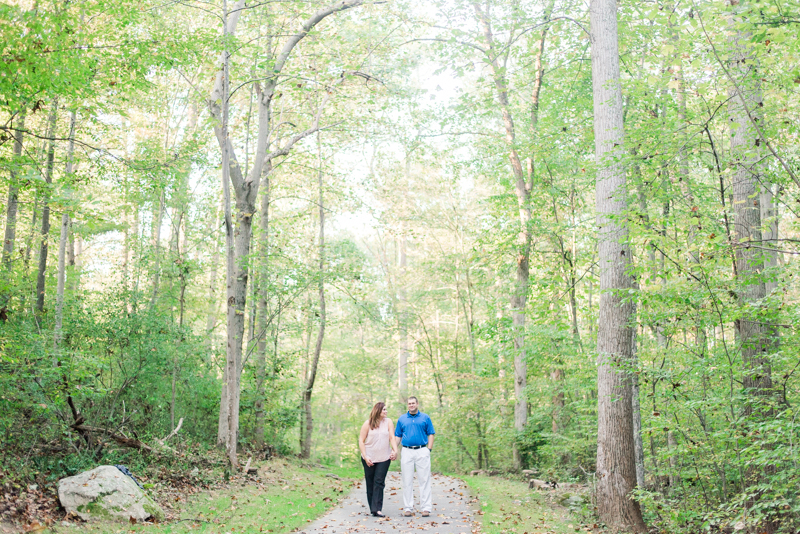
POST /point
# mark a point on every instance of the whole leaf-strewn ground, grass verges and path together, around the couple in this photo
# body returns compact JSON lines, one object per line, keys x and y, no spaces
{"x":287,"y":496}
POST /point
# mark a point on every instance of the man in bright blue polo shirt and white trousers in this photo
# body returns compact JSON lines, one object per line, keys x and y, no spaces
{"x":415,"y":432}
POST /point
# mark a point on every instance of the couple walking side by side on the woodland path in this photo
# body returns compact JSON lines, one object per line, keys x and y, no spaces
{"x":378,"y":441}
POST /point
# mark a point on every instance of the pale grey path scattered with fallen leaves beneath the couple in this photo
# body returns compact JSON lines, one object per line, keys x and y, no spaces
{"x":451,"y":511}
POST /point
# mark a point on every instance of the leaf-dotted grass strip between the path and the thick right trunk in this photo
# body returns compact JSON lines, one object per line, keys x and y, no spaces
{"x":508,"y":506}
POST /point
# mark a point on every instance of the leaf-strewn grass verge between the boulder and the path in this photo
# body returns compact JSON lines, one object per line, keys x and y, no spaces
{"x":285,"y":497}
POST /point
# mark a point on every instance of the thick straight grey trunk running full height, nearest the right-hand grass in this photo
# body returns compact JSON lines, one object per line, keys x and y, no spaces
{"x":616,"y":467}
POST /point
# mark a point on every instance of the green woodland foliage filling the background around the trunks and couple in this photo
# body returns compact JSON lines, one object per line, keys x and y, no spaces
{"x":414,"y":157}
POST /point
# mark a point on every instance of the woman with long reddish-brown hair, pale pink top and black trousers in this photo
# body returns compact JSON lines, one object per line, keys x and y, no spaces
{"x":378,"y":449}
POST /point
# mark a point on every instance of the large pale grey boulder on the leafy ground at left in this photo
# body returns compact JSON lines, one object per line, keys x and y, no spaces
{"x":104,"y":492}
